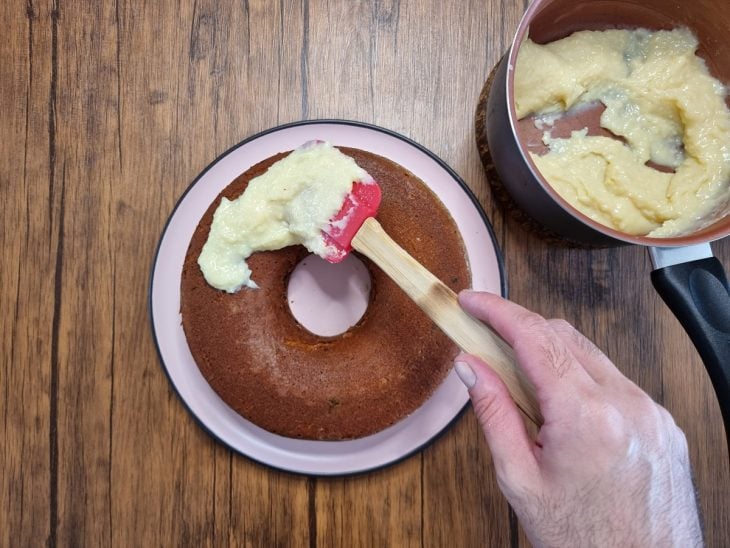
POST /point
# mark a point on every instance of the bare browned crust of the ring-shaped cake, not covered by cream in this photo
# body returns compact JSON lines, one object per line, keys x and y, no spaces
{"x":283,"y":378}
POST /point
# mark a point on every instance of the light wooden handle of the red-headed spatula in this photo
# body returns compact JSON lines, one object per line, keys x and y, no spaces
{"x":442,"y":306}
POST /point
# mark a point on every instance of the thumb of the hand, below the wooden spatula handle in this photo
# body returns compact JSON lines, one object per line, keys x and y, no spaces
{"x":503,"y":425}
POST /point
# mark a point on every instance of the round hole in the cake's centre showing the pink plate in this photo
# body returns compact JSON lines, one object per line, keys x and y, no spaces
{"x":328,"y":299}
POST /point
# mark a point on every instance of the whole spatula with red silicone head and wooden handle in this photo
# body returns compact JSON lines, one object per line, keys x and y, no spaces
{"x":354,"y":227}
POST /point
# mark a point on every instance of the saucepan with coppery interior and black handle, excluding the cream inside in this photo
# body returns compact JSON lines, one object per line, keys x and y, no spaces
{"x":690,"y":280}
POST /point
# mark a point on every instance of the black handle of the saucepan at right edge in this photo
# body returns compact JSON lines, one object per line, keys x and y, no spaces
{"x":698,"y":294}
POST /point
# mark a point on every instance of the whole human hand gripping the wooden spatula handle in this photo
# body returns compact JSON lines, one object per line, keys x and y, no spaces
{"x":609,"y":466}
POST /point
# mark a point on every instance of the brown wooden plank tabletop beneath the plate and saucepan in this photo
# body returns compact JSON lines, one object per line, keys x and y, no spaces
{"x":109,"y":110}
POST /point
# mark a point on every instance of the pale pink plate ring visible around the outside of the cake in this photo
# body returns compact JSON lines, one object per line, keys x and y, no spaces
{"x":317,"y":458}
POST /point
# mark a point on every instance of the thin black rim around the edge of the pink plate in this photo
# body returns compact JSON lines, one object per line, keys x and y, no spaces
{"x":442,"y":164}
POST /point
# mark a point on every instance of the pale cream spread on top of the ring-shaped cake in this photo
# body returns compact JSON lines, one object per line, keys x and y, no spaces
{"x":289,"y":204}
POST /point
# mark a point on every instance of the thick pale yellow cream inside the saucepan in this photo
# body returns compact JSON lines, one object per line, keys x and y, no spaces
{"x":660,"y":100}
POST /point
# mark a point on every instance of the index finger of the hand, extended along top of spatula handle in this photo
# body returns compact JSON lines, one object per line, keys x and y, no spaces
{"x":546,"y":360}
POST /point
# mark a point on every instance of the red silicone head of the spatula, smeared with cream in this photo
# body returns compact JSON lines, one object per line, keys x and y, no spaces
{"x":360,"y":203}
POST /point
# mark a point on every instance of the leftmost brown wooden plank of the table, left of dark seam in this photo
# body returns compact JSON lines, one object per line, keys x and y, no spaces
{"x":29,"y":233}
